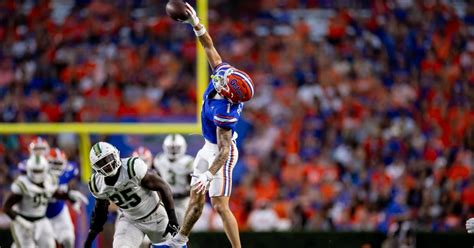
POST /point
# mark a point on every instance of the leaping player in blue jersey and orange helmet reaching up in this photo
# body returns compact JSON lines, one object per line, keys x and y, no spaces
{"x":222,"y":106}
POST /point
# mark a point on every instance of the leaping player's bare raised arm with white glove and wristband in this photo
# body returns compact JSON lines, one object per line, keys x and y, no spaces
{"x":204,"y":38}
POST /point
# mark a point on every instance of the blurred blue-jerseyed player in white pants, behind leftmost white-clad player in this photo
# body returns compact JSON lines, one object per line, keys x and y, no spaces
{"x":57,"y":212}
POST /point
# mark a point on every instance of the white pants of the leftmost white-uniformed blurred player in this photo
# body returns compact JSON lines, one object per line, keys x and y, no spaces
{"x":40,"y":236}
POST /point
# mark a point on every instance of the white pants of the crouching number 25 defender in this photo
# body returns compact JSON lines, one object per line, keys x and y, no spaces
{"x":131,"y":233}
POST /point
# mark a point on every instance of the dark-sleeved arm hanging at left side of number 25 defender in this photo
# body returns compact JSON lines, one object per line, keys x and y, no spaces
{"x":98,"y":219}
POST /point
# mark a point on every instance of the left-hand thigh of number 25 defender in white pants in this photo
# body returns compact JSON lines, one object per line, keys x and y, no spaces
{"x":126,"y":234}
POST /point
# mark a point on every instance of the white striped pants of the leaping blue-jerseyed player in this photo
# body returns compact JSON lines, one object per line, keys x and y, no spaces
{"x":221,"y":185}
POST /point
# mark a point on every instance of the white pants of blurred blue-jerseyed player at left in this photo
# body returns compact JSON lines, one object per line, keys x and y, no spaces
{"x":63,"y":228}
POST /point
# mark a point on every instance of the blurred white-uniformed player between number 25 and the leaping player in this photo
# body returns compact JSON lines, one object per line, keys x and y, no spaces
{"x":175,"y":167}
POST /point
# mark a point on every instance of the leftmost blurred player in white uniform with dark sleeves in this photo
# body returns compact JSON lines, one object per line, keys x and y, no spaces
{"x":30,"y":196}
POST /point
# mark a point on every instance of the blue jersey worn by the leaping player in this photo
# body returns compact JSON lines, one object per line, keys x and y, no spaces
{"x":218,"y":112}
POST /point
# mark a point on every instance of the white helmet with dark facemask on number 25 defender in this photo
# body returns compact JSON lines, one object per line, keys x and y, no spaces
{"x":105,"y":159}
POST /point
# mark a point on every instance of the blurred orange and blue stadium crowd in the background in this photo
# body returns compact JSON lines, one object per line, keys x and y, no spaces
{"x":361,"y":119}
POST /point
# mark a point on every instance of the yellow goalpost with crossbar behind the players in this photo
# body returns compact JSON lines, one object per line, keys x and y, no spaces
{"x":84,"y":130}
